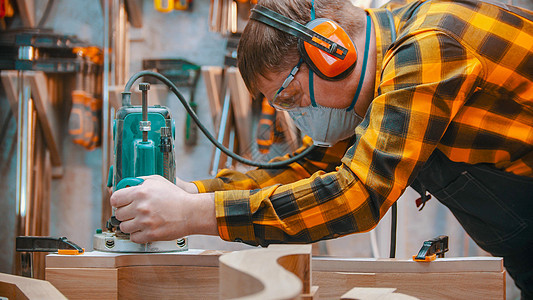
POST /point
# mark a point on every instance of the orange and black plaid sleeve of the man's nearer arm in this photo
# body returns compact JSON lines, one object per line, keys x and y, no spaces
{"x":426,"y":78}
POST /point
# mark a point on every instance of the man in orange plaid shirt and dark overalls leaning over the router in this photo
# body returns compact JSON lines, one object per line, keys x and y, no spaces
{"x":446,"y":92}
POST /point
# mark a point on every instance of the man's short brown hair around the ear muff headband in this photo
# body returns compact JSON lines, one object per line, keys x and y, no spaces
{"x":263,"y":49}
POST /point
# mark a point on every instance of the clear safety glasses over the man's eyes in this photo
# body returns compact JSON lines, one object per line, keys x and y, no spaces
{"x":290,"y":93}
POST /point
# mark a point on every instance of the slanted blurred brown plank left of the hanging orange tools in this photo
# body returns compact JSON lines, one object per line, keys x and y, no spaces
{"x":48,"y":116}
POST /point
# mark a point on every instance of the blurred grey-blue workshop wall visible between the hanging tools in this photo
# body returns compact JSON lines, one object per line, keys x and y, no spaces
{"x":76,"y":203}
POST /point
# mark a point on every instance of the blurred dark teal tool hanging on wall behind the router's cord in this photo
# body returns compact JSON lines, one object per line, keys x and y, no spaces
{"x":182,"y":73}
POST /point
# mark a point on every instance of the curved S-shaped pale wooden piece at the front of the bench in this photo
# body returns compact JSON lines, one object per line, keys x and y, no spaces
{"x":266,"y":273}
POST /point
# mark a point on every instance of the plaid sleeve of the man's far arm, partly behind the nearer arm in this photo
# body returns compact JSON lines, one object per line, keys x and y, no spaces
{"x":325,"y":159}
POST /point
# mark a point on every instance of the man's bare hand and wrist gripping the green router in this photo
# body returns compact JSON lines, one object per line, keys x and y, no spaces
{"x":158,"y":210}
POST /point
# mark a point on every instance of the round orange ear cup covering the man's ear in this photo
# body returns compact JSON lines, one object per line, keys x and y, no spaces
{"x":322,"y":63}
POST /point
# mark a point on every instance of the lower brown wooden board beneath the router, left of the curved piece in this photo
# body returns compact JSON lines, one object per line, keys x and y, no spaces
{"x":136,"y":282}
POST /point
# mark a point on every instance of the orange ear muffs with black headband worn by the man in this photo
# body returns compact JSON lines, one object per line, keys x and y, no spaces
{"x":323,"y":44}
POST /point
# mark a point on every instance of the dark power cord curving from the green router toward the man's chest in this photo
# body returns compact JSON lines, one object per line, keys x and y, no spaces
{"x":126,"y":100}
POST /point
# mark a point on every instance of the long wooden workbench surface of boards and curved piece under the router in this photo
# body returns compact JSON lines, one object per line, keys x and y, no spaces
{"x":195,"y":274}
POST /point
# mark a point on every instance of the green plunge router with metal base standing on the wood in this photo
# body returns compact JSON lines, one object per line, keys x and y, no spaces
{"x":143,"y":142}
